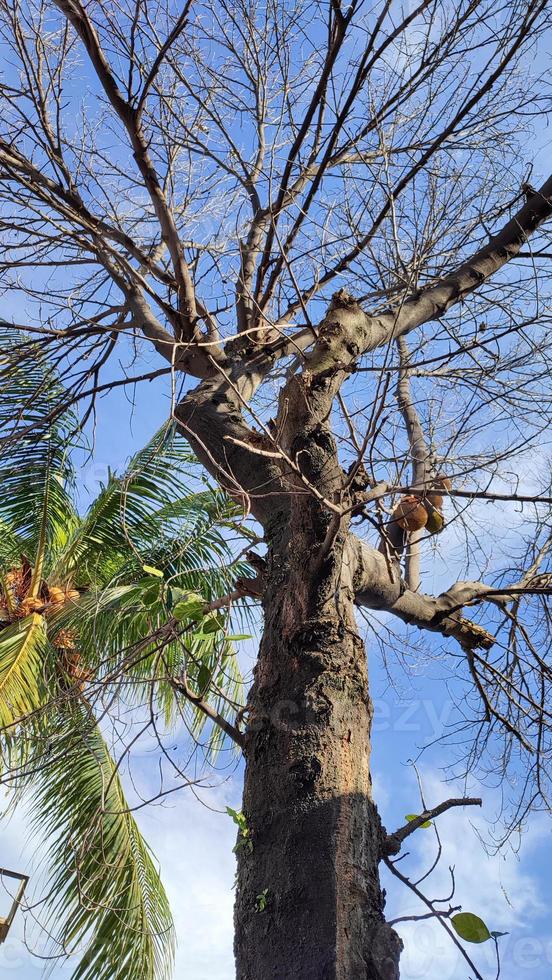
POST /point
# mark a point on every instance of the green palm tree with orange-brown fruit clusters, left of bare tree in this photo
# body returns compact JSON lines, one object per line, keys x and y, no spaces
{"x":121,"y":605}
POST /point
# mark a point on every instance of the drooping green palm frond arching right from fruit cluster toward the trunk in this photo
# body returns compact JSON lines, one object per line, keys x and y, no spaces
{"x":120,"y":635}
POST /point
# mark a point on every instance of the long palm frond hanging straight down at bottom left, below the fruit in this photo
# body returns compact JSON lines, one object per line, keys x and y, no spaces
{"x":104,"y":885}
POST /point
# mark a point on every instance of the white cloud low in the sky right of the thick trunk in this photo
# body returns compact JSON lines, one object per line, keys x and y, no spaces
{"x":498,"y":888}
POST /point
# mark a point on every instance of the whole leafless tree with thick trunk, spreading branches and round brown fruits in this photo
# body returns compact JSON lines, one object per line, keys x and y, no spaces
{"x":323,"y":213}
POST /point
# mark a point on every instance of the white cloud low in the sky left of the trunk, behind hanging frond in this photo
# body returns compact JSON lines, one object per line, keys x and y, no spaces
{"x":193,"y":844}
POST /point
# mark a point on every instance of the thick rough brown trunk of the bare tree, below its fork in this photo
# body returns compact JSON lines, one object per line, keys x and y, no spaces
{"x":309,"y":903}
